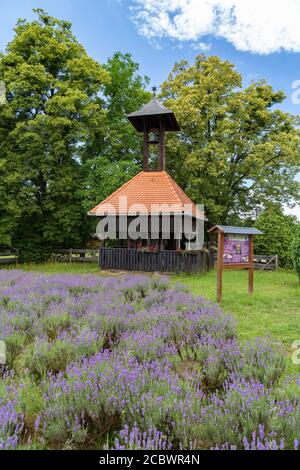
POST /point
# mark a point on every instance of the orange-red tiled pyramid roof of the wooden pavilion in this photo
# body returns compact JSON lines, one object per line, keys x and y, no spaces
{"x":155,"y":192}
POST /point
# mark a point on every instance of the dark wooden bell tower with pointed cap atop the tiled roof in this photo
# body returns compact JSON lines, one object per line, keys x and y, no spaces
{"x":154,"y":119}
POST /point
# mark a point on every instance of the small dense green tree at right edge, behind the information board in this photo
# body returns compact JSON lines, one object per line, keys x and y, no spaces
{"x":278,"y":232}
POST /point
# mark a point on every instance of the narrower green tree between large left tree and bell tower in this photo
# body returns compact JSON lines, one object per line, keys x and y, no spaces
{"x":112,"y":161}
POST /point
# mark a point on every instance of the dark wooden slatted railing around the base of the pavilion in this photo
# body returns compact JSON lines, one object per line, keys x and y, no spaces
{"x":161,"y":261}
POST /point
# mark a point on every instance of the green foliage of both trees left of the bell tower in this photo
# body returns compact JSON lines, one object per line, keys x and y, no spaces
{"x":65,"y":142}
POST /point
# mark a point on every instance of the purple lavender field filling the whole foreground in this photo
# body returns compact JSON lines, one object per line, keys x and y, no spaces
{"x":131,"y":362}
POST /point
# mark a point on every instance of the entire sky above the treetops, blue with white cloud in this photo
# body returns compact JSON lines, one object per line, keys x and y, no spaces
{"x":261,"y":37}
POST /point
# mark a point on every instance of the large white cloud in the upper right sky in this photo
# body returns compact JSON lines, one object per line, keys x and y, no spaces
{"x":260,"y":26}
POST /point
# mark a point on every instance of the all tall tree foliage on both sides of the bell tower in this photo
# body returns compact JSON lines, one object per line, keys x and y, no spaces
{"x":65,"y":142}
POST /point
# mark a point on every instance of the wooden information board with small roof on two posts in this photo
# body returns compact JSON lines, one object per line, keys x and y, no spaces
{"x":235,"y":251}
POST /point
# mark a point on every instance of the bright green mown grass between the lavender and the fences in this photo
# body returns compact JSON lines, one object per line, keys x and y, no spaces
{"x":273,"y":309}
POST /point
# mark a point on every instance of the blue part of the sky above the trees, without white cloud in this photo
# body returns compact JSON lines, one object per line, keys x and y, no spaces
{"x":105,"y":26}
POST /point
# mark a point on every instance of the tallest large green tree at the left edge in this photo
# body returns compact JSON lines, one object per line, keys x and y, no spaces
{"x":51,"y":113}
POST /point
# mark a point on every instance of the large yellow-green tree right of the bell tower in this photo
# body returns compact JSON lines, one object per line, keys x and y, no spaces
{"x":235,"y":152}
